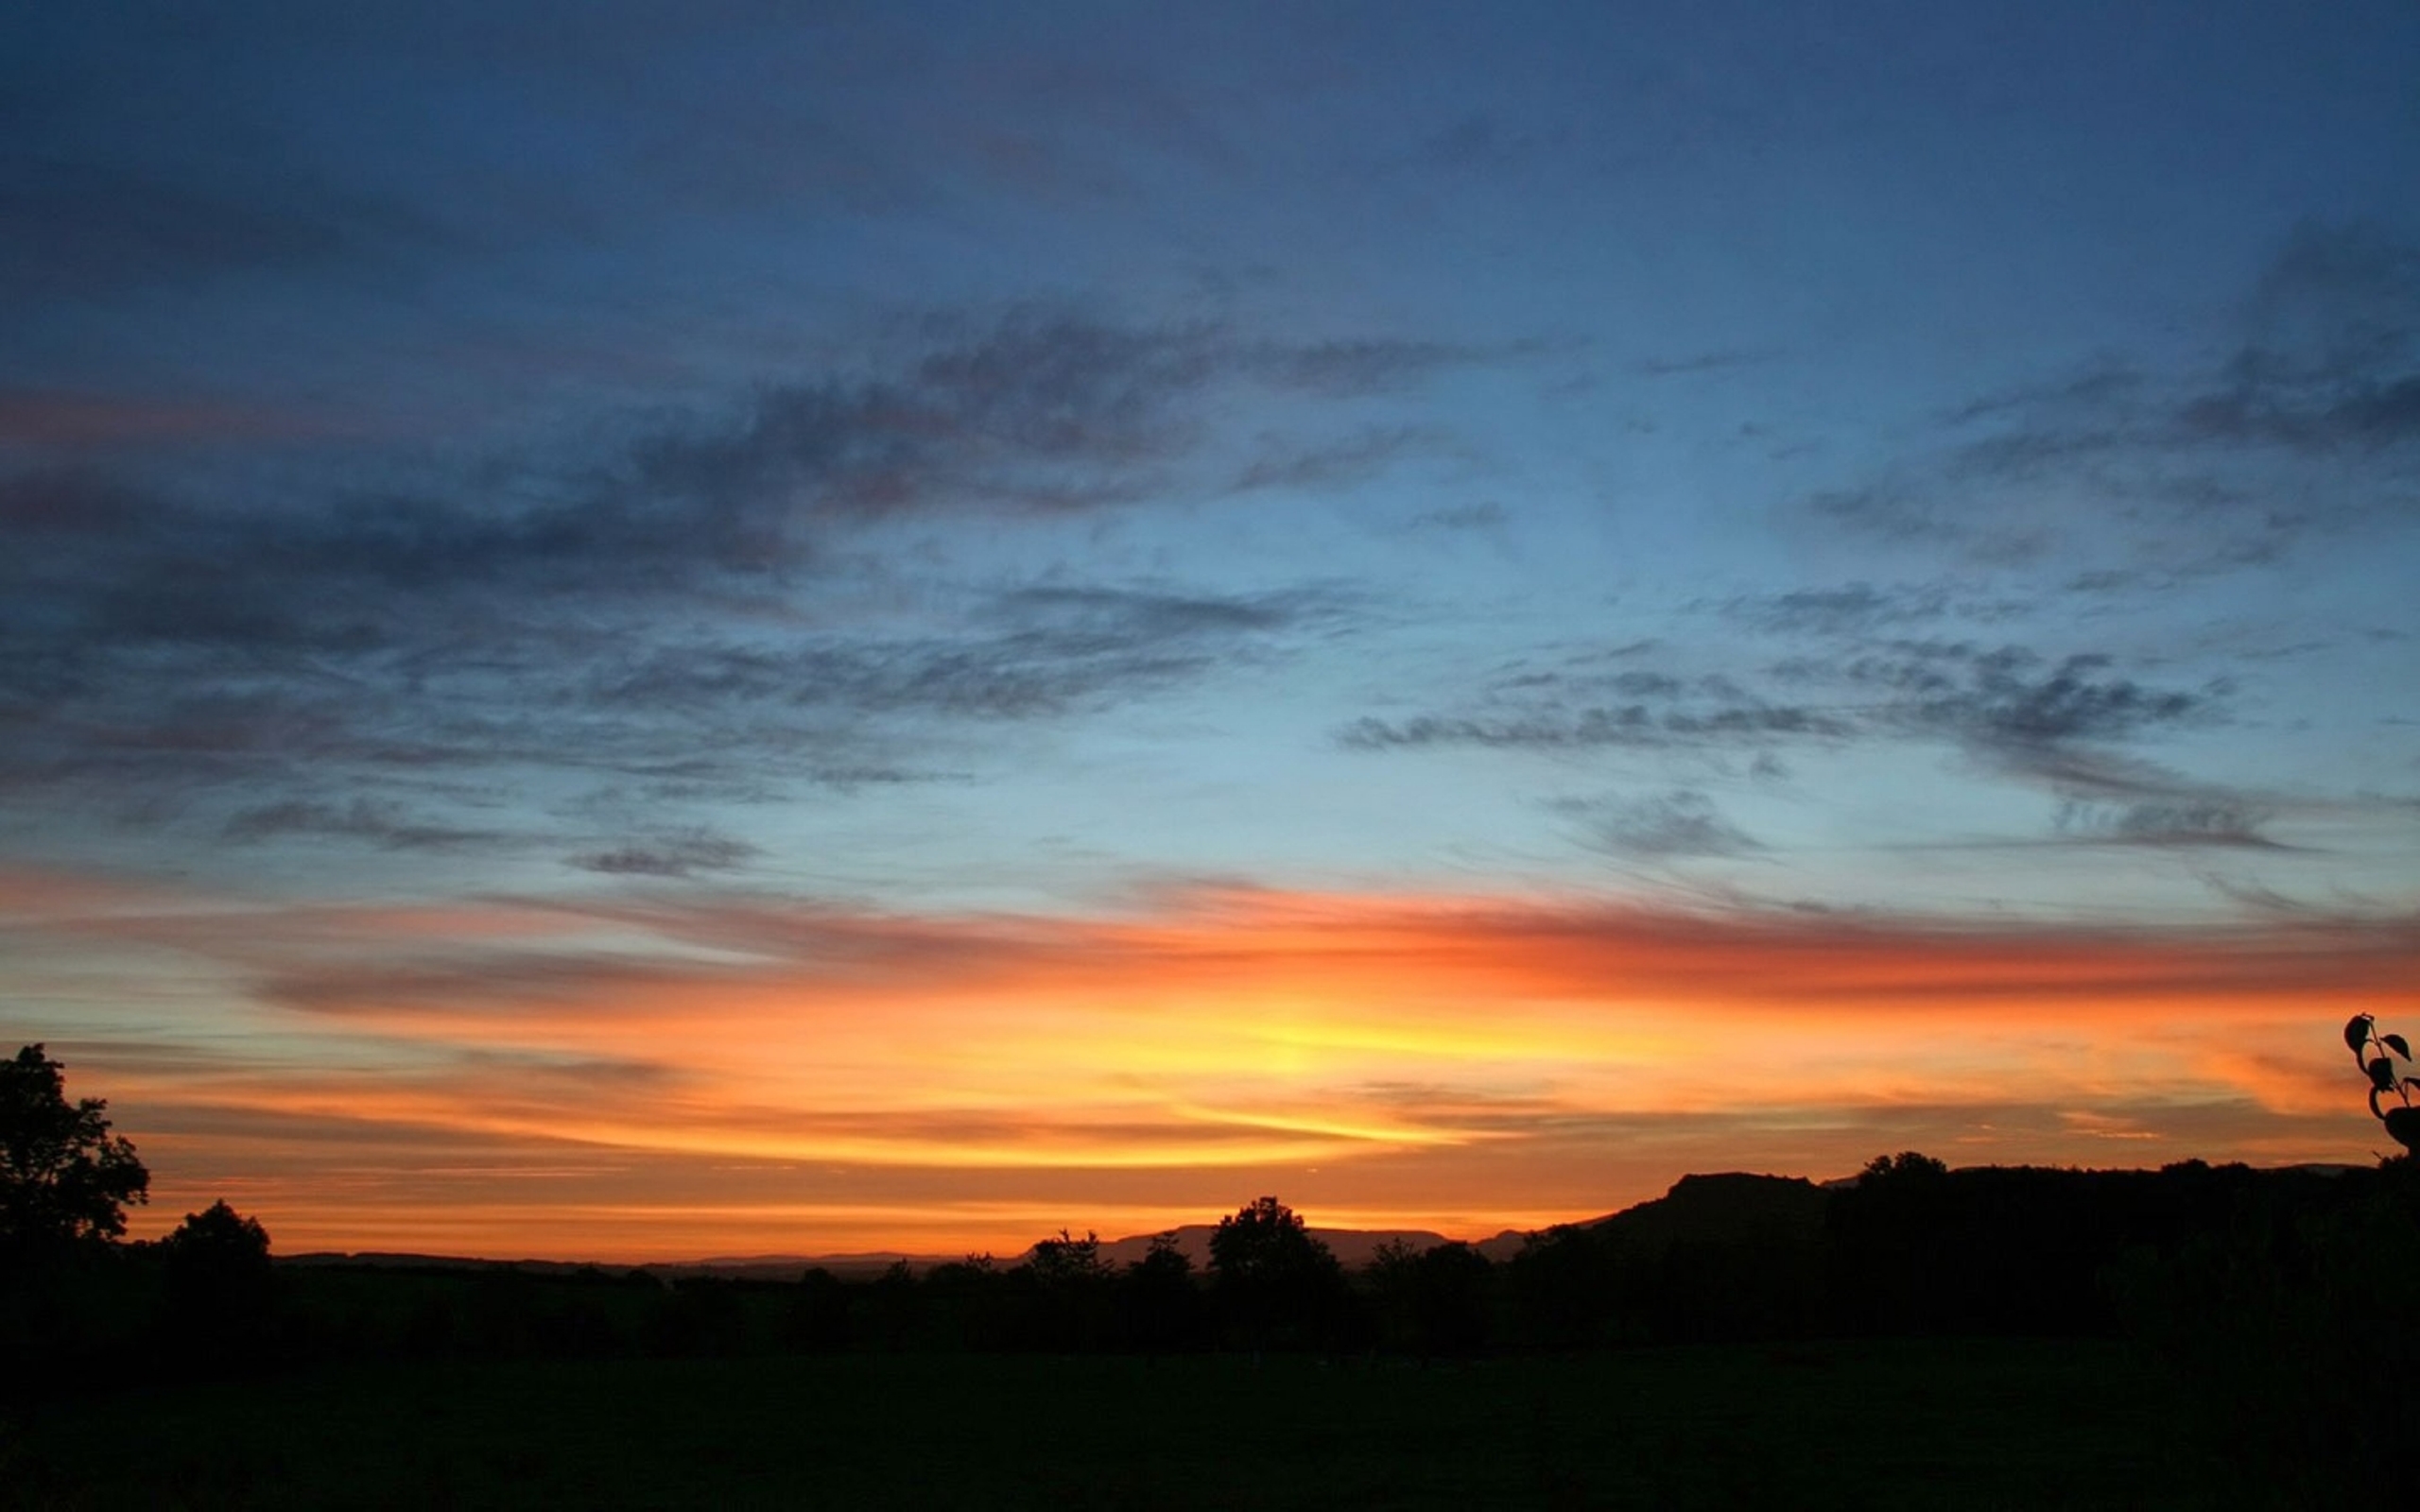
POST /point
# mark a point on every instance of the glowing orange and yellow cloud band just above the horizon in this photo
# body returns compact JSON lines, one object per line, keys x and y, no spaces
{"x":742,"y":1075}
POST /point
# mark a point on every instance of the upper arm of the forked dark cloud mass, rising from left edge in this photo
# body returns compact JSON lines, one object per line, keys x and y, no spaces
{"x":1037,"y":412}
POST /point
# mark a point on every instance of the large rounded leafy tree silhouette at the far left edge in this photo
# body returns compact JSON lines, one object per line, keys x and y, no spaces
{"x":64,"y":1177}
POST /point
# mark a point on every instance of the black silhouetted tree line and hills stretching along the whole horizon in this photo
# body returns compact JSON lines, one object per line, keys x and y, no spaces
{"x":2283,"y":1295}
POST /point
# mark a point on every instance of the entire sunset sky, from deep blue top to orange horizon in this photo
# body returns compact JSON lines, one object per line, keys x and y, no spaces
{"x":698,"y":630}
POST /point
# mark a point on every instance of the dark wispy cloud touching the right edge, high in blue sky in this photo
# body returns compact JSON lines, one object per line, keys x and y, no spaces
{"x":2305,"y":427}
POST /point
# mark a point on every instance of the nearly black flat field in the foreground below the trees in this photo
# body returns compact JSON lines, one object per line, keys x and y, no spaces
{"x":1891,"y":1424}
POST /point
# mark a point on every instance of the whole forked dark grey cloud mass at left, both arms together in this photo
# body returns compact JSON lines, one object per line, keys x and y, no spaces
{"x":645,"y":616}
